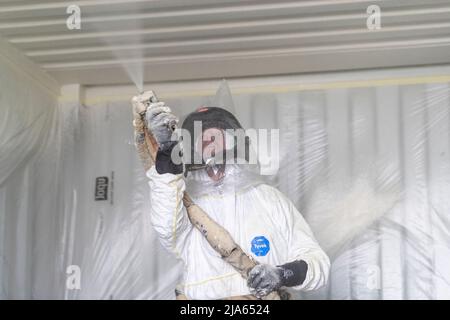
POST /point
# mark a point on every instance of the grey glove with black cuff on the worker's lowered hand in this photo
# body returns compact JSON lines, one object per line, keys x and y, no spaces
{"x":264,"y":278}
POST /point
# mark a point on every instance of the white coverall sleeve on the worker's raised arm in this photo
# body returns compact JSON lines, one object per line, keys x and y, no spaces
{"x":168,"y":214}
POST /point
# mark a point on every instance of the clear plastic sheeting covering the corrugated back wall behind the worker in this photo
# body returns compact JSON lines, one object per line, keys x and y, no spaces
{"x":368,"y":167}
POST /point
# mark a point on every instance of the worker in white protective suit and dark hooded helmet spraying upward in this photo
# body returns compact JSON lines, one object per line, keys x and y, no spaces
{"x":261,"y":219}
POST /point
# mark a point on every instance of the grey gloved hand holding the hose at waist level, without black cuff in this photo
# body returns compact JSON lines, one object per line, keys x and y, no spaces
{"x":263,"y":279}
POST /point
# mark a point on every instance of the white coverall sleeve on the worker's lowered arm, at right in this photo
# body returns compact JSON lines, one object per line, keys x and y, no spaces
{"x":303,"y":246}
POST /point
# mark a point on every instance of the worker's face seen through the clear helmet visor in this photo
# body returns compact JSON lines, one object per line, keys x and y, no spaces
{"x":211,"y":145}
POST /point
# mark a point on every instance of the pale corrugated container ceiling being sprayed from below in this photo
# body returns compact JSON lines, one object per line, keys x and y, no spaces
{"x":204,"y":39}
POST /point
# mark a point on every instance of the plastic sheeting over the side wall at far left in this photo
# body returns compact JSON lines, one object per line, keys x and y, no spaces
{"x":29,"y":163}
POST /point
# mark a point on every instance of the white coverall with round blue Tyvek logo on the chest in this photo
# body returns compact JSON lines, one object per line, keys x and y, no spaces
{"x":260,"y":211}
